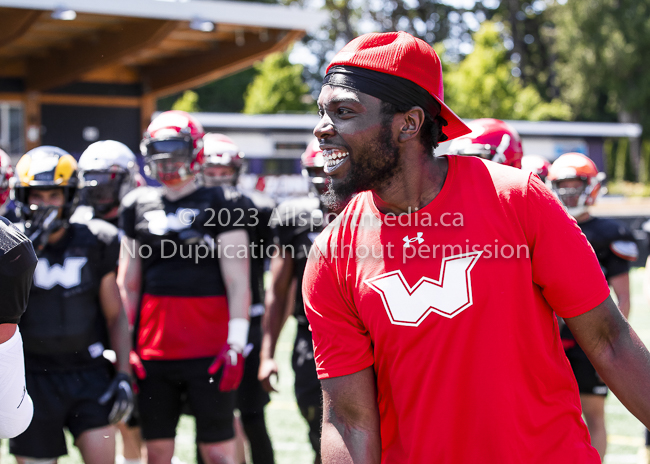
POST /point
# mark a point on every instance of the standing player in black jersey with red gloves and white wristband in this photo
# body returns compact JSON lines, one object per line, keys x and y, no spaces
{"x":184,"y":269}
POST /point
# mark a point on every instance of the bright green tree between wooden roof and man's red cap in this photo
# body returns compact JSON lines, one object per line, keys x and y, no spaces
{"x":278,"y":88}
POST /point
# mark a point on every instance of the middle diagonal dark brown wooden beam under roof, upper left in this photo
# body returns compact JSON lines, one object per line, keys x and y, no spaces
{"x":60,"y":68}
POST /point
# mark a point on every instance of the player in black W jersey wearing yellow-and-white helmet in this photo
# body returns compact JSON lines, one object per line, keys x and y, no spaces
{"x":74,"y":314}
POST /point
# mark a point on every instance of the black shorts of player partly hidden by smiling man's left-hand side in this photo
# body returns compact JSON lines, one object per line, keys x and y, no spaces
{"x":307,"y":387}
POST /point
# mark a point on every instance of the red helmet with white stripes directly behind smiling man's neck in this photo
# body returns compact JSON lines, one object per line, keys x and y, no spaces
{"x":491,"y":139}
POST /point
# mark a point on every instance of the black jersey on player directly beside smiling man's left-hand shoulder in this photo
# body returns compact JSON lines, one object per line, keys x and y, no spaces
{"x":297,"y":223}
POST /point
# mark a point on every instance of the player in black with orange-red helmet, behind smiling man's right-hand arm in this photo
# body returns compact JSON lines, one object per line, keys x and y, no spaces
{"x":576,"y":181}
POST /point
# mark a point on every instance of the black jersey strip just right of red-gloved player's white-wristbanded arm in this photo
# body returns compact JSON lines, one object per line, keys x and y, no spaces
{"x":262,"y":237}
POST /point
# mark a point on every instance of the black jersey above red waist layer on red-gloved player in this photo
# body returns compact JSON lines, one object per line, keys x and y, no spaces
{"x":177,"y":238}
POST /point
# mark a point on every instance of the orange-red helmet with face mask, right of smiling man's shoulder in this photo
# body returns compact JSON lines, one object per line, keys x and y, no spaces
{"x":575,"y":167}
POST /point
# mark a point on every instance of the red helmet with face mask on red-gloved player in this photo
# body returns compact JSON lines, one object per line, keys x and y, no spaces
{"x":173,"y":147}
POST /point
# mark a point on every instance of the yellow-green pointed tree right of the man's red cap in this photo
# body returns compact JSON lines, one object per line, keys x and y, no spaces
{"x":483,"y":85}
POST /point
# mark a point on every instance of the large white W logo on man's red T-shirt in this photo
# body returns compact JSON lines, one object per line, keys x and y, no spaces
{"x":448,"y":296}
